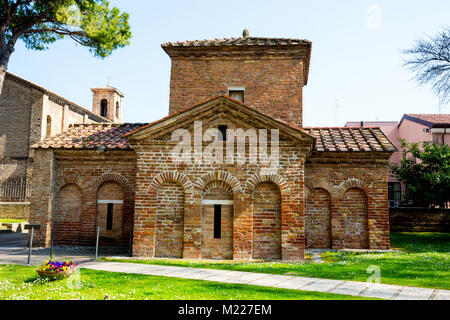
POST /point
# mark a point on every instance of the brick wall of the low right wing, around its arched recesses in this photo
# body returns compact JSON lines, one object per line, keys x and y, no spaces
{"x":337,"y":173}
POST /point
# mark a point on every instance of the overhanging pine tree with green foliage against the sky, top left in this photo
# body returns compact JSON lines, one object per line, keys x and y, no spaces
{"x":38,"y":23}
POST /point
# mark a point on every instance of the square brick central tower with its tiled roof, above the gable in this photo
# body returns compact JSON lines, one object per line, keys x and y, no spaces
{"x":265,"y":73}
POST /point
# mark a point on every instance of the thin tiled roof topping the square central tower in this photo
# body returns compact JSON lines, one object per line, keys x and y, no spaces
{"x":241,"y":41}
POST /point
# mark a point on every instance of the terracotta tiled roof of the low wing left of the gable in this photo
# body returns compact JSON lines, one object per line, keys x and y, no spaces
{"x":91,"y":136}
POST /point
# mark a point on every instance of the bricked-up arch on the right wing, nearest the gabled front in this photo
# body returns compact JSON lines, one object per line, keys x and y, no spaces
{"x":318,"y":219}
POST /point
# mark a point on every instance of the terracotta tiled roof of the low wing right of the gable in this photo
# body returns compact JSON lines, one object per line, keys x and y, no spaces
{"x":347,"y":139}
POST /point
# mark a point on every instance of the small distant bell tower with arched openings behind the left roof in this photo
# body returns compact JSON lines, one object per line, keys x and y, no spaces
{"x":107,"y":102}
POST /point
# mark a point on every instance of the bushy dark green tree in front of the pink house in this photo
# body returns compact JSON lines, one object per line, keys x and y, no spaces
{"x":425,"y":170}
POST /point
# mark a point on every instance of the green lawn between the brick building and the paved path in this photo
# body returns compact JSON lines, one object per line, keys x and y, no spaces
{"x":423,"y":262}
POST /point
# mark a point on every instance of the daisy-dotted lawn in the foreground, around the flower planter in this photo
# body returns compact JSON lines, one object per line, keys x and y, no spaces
{"x":22,"y":283}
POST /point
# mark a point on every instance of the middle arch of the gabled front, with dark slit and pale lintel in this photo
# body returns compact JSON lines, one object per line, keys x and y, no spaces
{"x":217,"y":223}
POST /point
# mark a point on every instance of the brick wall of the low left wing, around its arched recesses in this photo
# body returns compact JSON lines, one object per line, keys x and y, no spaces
{"x":88,"y":170}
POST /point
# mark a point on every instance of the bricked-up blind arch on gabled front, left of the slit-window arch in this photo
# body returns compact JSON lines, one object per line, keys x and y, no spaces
{"x":169,"y":221}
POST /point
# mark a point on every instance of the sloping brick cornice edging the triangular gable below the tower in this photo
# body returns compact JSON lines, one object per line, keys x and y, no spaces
{"x":212,"y":109}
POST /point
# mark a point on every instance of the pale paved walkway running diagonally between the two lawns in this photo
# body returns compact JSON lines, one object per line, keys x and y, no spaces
{"x":353,"y":288}
